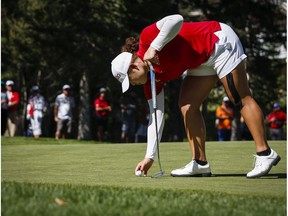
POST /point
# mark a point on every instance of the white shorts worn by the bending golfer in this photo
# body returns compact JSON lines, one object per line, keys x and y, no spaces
{"x":227,"y":55}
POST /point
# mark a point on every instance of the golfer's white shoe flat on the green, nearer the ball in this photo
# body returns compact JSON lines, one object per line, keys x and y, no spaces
{"x":192,"y":169}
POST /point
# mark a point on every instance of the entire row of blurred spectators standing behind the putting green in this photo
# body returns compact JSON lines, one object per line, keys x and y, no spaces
{"x":126,"y":122}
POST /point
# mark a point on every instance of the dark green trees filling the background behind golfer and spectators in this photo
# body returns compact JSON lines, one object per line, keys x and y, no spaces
{"x":50,"y":43}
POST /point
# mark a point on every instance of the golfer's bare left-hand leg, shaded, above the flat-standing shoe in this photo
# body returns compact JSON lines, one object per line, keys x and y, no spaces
{"x":193,"y":92}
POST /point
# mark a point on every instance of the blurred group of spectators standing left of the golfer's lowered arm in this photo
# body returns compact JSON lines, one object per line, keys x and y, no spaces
{"x":132,"y":126}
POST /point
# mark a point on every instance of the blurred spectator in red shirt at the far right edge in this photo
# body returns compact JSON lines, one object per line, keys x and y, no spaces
{"x":276,"y":119}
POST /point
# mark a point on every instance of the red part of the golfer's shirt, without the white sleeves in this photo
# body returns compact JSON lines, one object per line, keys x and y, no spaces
{"x":191,"y":47}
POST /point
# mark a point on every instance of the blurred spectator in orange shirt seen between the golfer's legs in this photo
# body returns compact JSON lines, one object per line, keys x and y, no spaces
{"x":224,"y":116}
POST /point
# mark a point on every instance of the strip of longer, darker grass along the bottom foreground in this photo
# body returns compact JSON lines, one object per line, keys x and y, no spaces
{"x":39,"y":199}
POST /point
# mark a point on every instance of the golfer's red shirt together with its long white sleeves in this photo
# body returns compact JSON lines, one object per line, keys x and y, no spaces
{"x":181,"y":46}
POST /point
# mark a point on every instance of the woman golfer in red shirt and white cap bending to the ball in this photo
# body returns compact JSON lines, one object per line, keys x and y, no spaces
{"x":206,"y":52}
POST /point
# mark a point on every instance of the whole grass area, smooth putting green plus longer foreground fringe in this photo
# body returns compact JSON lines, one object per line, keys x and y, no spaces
{"x":98,"y":179}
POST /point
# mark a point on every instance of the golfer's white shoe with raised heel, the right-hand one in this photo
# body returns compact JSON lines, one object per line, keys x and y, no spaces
{"x":263,"y":164}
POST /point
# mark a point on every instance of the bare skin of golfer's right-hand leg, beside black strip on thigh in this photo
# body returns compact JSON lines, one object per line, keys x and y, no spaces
{"x":251,"y":112}
